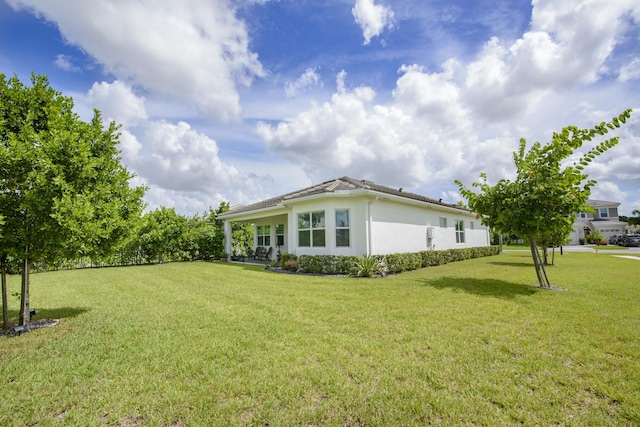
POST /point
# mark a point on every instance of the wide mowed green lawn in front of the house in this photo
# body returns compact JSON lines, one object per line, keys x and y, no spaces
{"x":222,"y":344}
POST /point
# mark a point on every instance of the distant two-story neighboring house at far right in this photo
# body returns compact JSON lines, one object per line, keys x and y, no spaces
{"x":604,"y":220}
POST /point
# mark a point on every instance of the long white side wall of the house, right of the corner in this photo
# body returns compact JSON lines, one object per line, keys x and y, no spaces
{"x":397,"y":228}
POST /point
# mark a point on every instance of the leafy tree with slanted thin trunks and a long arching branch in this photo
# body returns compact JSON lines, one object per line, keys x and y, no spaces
{"x":546,"y":194}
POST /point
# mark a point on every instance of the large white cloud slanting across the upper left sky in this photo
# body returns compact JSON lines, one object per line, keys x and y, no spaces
{"x":197,"y":51}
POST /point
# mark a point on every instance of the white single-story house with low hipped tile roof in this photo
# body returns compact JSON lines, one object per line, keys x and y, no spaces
{"x":347,"y":216}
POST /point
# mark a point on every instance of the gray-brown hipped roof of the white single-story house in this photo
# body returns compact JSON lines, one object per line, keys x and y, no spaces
{"x":339,"y":184}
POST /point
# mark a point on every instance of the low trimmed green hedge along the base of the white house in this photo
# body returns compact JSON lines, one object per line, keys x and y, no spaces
{"x":396,"y":263}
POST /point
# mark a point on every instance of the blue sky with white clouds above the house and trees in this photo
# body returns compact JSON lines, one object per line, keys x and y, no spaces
{"x":242,"y":100}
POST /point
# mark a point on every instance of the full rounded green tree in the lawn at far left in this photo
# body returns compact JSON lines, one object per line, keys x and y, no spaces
{"x":63,"y":189}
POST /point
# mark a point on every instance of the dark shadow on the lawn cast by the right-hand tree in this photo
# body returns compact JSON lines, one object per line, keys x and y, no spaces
{"x":483,"y":287}
